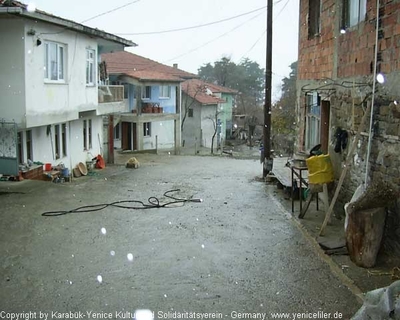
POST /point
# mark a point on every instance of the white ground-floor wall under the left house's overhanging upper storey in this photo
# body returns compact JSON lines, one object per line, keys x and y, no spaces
{"x":43,"y":145}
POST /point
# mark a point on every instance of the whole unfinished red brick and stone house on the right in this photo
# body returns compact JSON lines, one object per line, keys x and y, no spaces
{"x":349,"y":61}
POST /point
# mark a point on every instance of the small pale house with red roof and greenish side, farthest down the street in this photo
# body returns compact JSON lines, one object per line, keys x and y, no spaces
{"x":206,"y":110}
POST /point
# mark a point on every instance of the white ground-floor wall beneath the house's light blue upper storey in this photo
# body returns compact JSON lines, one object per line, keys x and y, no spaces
{"x":164,"y":130}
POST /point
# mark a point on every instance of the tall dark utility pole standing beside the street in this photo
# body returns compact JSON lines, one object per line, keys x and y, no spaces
{"x":268,"y":94}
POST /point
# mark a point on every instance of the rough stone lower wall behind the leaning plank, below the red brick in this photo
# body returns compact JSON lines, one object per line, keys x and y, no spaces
{"x":384,"y":156}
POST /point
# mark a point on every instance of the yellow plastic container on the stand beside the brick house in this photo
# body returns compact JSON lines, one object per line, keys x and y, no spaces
{"x":320,"y":169}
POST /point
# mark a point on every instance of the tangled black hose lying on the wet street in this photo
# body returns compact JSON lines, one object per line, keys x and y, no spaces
{"x":152,"y":203}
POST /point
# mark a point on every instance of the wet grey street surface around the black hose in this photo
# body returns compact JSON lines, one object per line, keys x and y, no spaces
{"x":238,"y":251}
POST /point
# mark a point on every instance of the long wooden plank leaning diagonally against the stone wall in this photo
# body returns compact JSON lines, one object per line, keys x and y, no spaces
{"x":346,"y":167}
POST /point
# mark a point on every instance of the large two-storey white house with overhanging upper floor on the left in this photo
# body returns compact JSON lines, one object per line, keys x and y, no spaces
{"x":49,"y":92}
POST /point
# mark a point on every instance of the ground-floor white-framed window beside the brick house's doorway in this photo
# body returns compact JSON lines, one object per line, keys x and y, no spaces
{"x":313,"y":120}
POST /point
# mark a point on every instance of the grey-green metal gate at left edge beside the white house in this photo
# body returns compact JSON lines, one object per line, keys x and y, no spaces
{"x":8,"y":148}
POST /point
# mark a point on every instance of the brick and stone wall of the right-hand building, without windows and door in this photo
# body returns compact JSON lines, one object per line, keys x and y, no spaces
{"x":344,"y":62}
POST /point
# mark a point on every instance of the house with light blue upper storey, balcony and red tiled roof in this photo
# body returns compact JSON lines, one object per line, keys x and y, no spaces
{"x":151,"y":116}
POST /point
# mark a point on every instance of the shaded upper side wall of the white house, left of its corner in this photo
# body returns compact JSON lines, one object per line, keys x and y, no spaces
{"x":12,"y":83}
